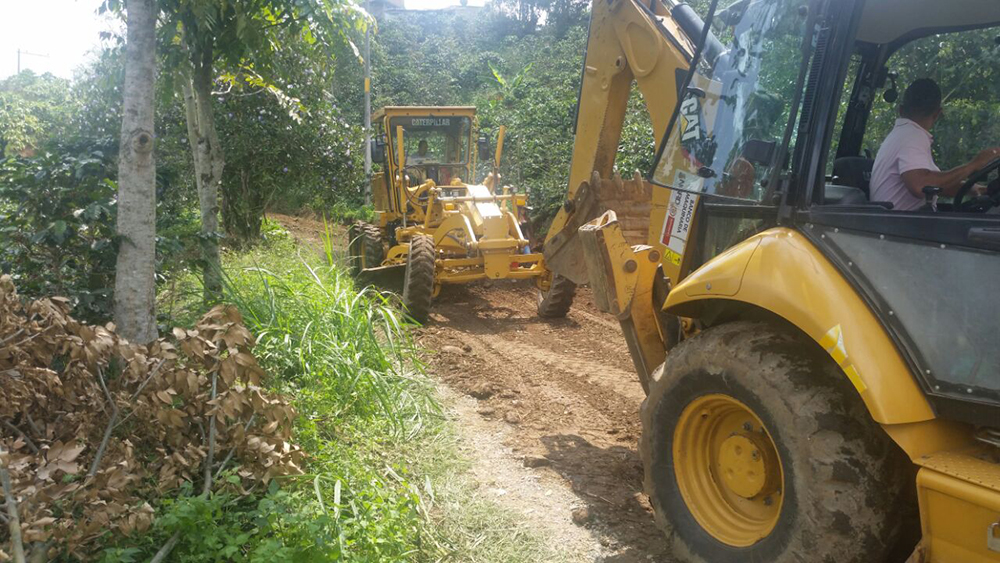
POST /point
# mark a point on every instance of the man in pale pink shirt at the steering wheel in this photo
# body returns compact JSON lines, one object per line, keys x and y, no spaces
{"x":904,"y":164}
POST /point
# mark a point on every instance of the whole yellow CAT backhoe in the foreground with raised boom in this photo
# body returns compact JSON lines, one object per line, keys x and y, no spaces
{"x":822,"y":371}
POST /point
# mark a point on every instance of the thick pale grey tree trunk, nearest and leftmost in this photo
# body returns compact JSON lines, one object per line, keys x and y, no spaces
{"x":135,"y":285}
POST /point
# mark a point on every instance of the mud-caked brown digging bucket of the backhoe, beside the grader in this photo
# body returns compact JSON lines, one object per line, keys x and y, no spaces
{"x":630,"y":200}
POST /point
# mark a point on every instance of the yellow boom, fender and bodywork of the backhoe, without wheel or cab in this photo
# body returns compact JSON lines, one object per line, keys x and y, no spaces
{"x":642,"y":274}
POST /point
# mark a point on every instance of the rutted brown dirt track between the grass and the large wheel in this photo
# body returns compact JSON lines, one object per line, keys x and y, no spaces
{"x":560,"y":393}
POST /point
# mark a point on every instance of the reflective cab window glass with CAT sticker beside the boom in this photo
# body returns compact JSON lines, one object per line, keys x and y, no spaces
{"x":735,"y":112}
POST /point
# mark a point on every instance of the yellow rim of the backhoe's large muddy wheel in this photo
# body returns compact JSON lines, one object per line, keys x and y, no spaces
{"x":728,"y":470}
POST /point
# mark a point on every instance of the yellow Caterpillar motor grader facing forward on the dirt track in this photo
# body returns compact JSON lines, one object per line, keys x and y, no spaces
{"x":433,"y":227}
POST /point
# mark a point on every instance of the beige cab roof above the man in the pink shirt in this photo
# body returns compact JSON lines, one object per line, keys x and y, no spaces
{"x":891,"y":21}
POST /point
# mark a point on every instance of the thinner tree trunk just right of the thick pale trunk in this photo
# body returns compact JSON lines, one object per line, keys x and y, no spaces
{"x":209,"y":162}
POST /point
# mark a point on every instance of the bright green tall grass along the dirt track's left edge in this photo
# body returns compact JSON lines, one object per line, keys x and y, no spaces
{"x":348,"y":360}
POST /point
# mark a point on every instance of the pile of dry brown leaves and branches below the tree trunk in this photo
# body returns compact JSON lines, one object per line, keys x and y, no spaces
{"x":93,"y":428}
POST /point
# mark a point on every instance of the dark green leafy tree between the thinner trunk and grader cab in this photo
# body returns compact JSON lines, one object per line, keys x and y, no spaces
{"x":311,"y":159}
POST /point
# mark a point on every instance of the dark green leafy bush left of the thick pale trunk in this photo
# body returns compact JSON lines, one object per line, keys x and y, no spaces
{"x":57,"y":219}
